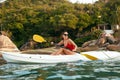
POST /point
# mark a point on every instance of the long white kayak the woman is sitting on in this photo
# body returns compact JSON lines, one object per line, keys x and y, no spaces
{"x":18,"y":57}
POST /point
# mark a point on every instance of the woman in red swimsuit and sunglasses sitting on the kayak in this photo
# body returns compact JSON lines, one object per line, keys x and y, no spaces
{"x":69,"y":47}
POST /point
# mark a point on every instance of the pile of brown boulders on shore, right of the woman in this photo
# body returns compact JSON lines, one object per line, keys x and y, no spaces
{"x":105,"y":41}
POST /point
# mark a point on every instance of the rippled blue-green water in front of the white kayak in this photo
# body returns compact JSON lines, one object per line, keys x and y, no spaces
{"x":92,"y":70}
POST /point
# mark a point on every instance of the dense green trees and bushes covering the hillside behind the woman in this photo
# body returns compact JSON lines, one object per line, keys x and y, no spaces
{"x":23,"y":18}
